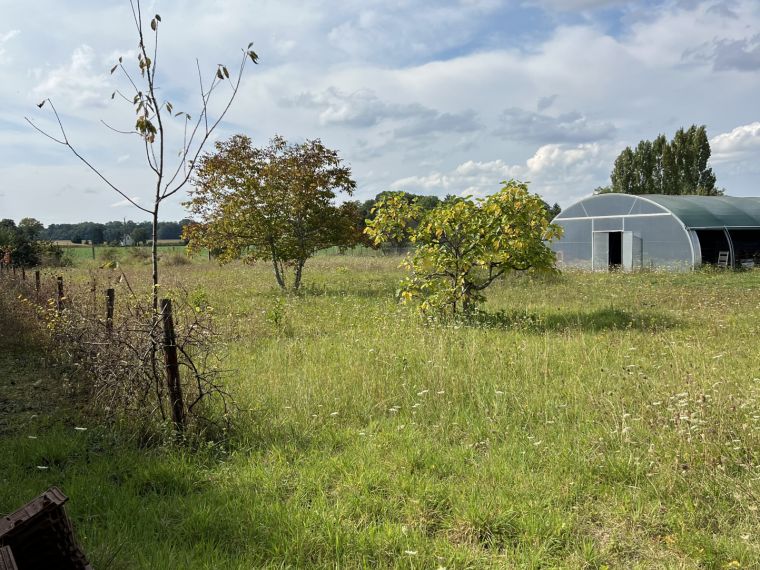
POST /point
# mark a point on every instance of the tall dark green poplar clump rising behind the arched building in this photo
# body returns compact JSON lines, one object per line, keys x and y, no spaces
{"x":680,"y":166}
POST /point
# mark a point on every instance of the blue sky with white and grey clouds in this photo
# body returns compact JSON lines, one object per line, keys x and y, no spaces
{"x":433,"y":97}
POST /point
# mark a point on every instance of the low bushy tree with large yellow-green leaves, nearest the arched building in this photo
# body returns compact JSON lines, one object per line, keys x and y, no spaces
{"x":464,"y":245}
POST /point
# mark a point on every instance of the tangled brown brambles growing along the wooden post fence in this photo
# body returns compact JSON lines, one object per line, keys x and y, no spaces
{"x":117,"y":363}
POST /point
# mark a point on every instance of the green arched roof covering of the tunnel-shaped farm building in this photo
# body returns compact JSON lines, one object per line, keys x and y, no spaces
{"x":711,"y":211}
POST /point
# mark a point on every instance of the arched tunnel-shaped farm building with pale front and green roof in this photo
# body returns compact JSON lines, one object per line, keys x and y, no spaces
{"x":655,"y":231}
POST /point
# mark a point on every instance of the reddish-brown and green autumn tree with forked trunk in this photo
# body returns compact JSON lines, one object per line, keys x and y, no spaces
{"x":275,"y":203}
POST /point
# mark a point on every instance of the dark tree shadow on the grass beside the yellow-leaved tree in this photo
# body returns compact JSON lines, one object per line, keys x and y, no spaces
{"x":586,"y":321}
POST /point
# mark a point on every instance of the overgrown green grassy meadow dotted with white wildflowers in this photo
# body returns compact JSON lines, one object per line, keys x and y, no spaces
{"x":589,"y":421}
